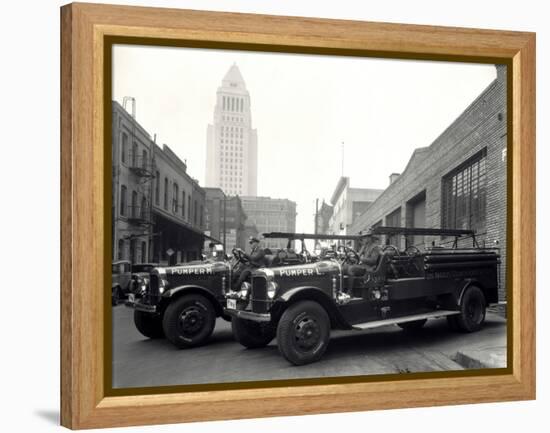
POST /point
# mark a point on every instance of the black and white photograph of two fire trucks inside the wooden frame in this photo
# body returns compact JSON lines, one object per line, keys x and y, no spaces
{"x":285,"y":216}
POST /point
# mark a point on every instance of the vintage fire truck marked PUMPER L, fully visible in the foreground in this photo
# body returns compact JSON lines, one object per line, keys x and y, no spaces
{"x":301,"y":304}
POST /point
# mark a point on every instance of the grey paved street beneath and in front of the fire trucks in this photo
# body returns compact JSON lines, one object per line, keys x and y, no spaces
{"x":139,"y":361}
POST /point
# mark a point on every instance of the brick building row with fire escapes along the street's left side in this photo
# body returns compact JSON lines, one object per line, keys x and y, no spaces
{"x":157,"y":208}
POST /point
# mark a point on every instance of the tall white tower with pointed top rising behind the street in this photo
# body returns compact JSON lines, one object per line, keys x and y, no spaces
{"x":232,"y":144}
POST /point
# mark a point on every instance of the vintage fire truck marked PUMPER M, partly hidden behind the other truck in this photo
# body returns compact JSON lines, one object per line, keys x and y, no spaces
{"x":182,"y":302}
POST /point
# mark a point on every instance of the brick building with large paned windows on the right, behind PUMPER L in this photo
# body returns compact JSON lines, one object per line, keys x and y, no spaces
{"x":458,"y":181}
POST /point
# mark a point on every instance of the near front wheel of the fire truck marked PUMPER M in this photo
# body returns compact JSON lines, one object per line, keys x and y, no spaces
{"x":189,"y":321}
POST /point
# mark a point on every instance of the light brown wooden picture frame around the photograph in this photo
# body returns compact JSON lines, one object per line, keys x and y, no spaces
{"x":85,"y":212}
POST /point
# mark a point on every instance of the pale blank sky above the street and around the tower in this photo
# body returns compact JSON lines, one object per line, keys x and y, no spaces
{"x":303,"y":107}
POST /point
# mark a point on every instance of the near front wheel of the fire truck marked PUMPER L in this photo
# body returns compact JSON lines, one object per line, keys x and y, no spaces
{"x":303,"y":332}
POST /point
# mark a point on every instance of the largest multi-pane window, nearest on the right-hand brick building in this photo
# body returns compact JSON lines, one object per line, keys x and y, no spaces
{"x":464,"y":195}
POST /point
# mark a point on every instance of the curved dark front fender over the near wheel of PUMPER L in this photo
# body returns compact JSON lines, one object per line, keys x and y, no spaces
{"x":310,"y":293}
